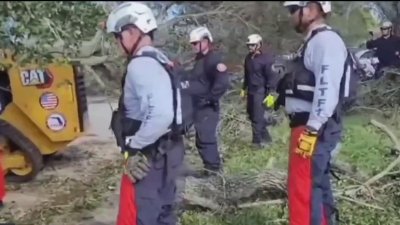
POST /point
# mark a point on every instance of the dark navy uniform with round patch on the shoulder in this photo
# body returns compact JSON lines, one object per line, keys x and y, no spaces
{"x":207,"y":85}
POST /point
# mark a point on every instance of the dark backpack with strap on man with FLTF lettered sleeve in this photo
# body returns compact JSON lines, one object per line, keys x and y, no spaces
{"x":348,"y":94}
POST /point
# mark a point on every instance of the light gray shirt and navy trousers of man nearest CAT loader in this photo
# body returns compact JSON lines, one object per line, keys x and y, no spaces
{"x":148,"y":97}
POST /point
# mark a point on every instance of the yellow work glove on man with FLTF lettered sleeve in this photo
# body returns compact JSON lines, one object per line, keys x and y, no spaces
{"x":307,"y":143}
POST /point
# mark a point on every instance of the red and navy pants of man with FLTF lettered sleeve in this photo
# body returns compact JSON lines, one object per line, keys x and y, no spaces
{"x":309,"y":191}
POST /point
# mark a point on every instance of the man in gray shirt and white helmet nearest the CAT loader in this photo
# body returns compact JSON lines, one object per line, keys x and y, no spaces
{"x":142,"y":123}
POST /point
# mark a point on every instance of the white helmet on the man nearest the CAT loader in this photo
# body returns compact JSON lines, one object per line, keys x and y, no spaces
{"x":134,"y":13}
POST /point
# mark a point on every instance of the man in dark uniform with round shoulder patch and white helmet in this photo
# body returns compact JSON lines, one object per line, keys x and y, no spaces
{"x":208,"y":82}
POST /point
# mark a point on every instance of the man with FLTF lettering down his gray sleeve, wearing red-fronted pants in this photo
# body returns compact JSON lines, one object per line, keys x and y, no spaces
{"x":313,"y":95}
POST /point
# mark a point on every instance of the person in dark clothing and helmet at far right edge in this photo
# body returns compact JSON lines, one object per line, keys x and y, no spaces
{"x":387,"y":47}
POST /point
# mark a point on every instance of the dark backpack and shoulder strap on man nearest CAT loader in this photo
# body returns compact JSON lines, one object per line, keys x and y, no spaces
{"x":183,"y":119}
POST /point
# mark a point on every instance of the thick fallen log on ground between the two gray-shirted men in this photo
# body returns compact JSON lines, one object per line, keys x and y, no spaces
{"x":217,"y":193}
